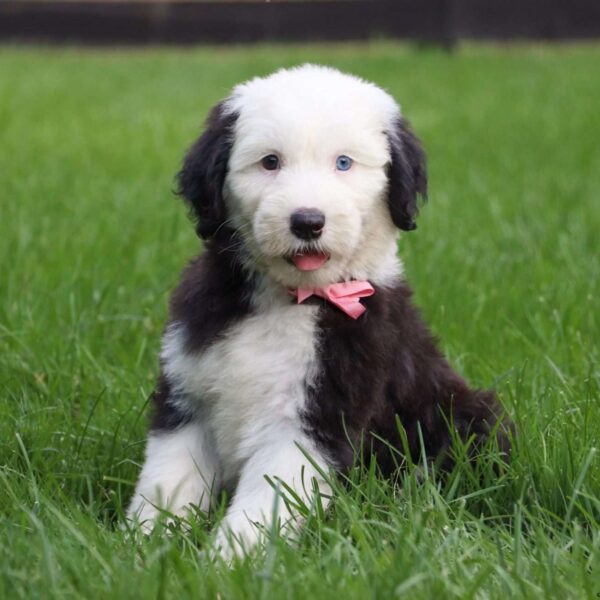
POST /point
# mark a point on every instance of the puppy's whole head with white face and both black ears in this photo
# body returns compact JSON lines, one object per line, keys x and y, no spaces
{"x":311,"y":160}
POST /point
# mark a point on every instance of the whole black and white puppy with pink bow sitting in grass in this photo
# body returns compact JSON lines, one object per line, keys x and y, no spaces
{"x":300,"y":182}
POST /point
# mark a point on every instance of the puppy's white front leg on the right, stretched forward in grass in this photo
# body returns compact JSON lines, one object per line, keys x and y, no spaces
{"x":258,"y":504}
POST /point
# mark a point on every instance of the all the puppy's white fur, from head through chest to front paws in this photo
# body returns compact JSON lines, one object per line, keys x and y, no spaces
{"x":245,"y":393}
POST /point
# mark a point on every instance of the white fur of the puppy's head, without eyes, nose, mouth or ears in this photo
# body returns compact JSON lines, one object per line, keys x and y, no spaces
{"x":308,"y":117}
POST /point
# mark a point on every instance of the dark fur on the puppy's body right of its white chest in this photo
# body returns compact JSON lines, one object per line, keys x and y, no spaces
{"x":386,"y":365}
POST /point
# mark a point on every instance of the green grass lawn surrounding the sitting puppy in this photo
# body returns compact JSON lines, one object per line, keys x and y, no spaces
{"x":504,"y":263}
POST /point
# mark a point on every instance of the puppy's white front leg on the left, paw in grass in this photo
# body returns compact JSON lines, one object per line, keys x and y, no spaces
{"x":179,"y":470}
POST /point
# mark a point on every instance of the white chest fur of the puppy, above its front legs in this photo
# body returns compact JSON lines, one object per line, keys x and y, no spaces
{"x":249,"y":385}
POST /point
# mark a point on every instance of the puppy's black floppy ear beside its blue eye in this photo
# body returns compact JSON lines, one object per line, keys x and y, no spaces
{"x":407,"y":175}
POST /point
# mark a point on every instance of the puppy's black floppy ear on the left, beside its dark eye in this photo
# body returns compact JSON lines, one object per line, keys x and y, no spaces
{"x":200,"y":181}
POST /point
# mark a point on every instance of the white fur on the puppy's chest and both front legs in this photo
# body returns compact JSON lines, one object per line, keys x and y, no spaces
{"x":248,"y":391}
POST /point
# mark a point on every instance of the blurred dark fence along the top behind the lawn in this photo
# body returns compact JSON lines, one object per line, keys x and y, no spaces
{"x":191,"y":22}
